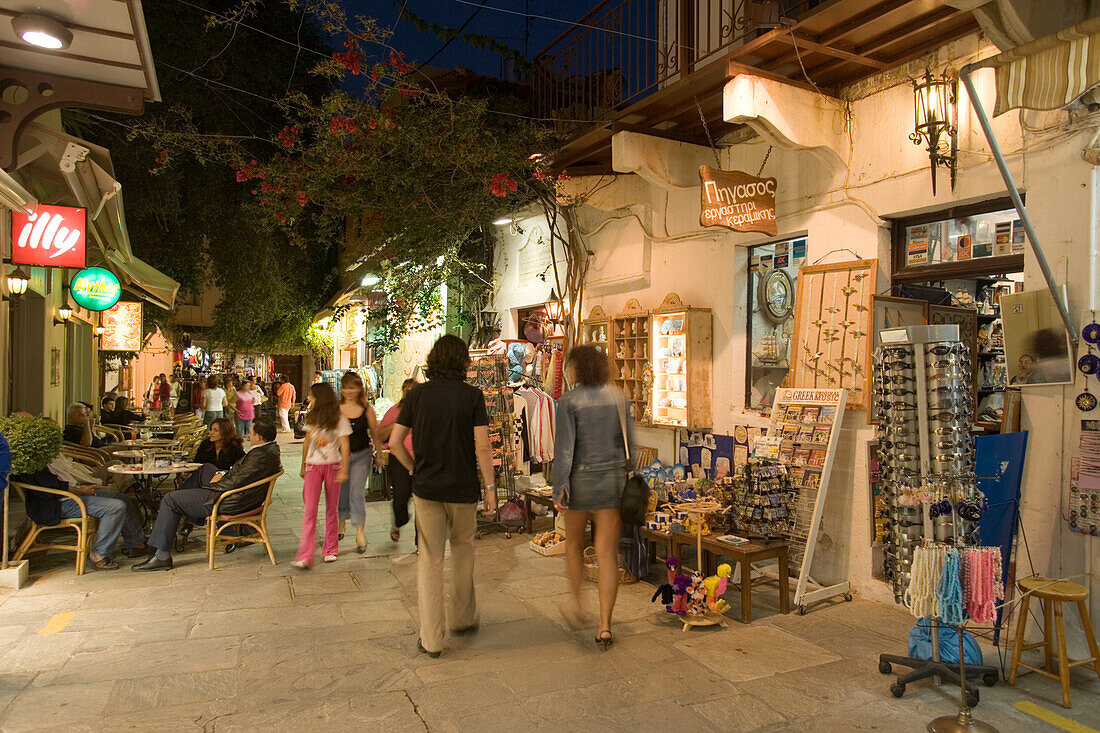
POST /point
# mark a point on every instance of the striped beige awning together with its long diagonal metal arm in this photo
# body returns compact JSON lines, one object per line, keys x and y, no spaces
{"x":1051,"y":73}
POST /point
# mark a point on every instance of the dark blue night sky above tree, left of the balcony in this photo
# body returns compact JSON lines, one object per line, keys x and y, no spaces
{"x":508,"y":28}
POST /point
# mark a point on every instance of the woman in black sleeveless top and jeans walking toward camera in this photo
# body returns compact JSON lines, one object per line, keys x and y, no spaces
{"x":365,"y":425}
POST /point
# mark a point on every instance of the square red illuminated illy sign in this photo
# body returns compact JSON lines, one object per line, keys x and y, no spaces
{"x":52,"y":237}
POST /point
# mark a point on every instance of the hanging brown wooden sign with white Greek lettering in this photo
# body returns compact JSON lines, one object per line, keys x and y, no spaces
{"x":738,"y":201}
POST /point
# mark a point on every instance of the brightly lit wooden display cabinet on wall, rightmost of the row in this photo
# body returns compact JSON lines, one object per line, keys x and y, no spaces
{"x":681,"y":355}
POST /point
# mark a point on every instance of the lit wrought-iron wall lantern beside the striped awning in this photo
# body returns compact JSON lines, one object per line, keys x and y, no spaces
{"x":936,"y":124}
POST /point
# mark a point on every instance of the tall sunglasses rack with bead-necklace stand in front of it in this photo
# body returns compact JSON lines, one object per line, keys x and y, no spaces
{"x":925,"y":404}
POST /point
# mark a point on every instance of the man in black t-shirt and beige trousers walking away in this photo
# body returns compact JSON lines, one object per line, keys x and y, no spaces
{"x":450,"y":441}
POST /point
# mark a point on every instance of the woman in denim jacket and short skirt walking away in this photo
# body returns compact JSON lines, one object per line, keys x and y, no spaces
{"x":589,"y":476}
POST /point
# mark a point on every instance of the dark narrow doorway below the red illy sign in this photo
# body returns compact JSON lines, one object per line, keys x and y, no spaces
{"x":28,"y":329}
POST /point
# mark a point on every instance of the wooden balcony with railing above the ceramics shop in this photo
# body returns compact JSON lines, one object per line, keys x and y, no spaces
{"x":659,"y":67}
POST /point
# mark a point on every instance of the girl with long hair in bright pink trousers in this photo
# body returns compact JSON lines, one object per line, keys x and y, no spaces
{"x":324,"y":464}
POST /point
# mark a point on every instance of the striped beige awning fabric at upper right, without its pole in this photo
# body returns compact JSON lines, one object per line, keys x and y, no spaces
{"x":1050,"y":73}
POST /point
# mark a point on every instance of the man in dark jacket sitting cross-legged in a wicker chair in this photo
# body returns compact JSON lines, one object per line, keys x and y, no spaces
{"x":195,"y":501}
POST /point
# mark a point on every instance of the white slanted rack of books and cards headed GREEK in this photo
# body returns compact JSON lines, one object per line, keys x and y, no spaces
{"x":807,"y":422}
